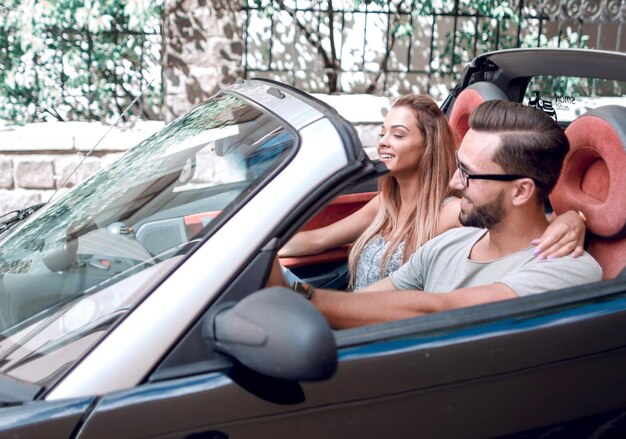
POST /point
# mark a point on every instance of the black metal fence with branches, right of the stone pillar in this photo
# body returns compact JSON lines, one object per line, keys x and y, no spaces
{"x":410,"y":46}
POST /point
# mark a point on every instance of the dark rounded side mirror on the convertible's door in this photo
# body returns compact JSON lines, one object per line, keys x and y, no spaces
{"x":277,"y":333}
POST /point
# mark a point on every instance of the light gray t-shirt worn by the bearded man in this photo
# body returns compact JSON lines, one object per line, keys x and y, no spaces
{"x":442,"y":265}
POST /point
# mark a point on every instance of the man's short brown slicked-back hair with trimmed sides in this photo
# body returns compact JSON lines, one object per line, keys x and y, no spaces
{"x":532,"y":143}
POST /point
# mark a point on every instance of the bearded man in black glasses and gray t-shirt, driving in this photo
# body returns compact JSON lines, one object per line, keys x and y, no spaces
{"x":508,"y":163}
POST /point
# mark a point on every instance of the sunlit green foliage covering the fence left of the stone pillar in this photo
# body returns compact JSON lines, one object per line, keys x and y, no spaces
{"x":79,"y":59}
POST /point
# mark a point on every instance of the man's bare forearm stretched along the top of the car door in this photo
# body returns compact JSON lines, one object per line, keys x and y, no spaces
{"x":347,"y":310}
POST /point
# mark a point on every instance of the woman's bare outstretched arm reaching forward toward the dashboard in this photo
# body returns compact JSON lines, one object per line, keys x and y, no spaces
{"x":344,"y":231}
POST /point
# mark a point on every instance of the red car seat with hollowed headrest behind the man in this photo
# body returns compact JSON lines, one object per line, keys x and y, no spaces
{"x":593,"y":181}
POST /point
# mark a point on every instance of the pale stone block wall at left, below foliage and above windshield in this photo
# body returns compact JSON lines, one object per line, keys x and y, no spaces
{"x":40,"y":159}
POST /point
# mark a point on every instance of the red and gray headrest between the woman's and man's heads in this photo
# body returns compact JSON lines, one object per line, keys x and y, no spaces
{"x":470,"y":98}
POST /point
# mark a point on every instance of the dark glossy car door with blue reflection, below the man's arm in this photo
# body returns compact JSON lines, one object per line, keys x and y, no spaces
{"x":484,"y":371}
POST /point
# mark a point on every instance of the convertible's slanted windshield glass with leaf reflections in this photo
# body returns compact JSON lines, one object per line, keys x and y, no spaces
{"x":75,"y":267}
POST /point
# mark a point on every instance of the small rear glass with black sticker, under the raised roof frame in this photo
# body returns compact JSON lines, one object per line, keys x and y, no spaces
{"x":565,"y":98}
